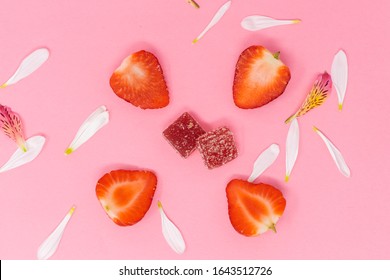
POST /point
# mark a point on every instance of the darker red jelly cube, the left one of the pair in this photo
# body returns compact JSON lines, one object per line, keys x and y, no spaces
{"x":183,"y":133}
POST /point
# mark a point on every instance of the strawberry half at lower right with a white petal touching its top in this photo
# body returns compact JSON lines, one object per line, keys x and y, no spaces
{"x":254,"y":208}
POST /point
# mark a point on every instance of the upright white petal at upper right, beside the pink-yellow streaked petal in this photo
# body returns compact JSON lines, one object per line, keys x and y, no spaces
{"x":339,"y":74}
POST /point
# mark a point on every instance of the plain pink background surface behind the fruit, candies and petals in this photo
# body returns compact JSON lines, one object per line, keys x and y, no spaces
{"x":327,"y":216}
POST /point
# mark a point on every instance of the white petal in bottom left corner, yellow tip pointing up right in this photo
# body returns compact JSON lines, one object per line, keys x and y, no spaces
{"x":50,"y":245}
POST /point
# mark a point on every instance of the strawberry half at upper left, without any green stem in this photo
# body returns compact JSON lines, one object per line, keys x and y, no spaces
{"x":140,"y":81}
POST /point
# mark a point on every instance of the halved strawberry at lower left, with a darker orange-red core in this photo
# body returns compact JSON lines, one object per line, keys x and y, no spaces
{"x":126,"y":195}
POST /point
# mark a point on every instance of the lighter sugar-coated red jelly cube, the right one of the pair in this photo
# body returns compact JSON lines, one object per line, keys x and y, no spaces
{"x":217,"y":147}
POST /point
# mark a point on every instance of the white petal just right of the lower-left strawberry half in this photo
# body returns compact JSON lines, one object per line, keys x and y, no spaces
{"x":171,"y":233}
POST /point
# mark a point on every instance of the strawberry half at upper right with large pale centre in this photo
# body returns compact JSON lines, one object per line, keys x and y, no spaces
{"x":260,"y":77}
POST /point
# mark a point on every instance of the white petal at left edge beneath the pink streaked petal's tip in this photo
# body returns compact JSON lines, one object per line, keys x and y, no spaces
{"x":34,"y":147}
